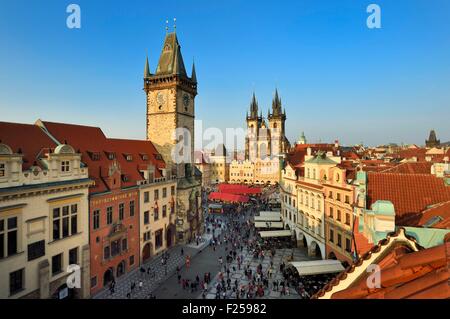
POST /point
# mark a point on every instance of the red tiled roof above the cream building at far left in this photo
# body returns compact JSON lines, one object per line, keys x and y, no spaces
{"x":27,"y":138}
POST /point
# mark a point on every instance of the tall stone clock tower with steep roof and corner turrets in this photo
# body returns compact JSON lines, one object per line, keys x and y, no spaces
{"x":170,"y":122}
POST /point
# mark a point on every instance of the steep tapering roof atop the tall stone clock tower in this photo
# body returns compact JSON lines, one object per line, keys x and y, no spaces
{"x":171,"y":61}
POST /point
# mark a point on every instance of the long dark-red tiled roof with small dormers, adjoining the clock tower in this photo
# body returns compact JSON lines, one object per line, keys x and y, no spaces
{"x":91,"y":140}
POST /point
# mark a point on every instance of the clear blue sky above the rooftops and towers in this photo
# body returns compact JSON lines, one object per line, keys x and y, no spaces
{"x":337,"y":78}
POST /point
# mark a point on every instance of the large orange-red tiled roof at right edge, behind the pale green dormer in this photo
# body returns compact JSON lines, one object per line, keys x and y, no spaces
{"x":410,"y":193}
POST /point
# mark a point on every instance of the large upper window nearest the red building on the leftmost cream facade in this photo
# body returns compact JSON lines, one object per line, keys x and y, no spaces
{"x":65,"y":221}
